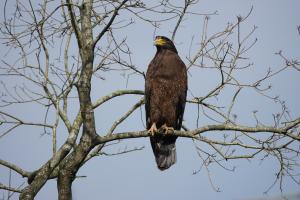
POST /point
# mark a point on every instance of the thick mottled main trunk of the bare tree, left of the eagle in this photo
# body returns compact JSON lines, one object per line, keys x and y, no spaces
{"x":75,"y":159}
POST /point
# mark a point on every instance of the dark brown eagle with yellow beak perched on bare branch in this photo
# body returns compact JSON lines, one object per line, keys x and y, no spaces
{"x":165,"y":97}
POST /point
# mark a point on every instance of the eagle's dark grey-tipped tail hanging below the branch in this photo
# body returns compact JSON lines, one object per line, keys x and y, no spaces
{"x":164,"y":152}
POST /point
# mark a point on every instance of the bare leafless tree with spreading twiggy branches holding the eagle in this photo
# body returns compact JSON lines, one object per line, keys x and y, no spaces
{"x":63,"y":48}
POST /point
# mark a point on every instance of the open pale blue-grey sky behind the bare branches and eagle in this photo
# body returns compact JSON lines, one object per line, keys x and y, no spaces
{"x":134,"y":175}
